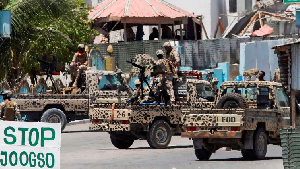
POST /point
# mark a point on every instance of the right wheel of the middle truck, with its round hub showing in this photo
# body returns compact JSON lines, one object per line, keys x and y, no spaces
{"x":159,"y":135}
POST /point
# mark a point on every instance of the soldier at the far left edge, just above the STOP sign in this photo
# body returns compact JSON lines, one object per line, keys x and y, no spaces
{"x":8,"y":109}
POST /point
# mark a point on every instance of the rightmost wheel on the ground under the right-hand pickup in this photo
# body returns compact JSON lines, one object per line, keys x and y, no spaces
{"x":260,"y":144}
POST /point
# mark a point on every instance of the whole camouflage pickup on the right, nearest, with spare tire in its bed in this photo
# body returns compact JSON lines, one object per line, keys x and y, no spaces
{"x":248,"y":116}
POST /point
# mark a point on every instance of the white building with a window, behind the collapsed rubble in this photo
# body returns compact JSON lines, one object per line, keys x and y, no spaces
{"x":229,"y":10}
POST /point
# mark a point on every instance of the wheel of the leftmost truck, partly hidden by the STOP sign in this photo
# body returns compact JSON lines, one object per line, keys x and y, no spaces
{"x":55,"y":116}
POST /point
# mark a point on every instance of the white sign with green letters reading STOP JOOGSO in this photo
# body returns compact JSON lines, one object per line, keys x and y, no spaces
{"x":30,"y":145}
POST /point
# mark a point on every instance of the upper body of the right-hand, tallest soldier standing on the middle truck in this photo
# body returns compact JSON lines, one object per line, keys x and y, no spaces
{"x":173,"y":56}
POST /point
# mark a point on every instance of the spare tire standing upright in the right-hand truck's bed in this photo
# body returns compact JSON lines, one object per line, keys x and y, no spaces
{"x":232,"y":100}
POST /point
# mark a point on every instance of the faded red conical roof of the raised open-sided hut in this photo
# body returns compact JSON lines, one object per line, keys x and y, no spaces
{"x":135,"y":11}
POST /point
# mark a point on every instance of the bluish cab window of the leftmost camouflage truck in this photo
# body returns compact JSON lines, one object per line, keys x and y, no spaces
{"x":108,"y":82}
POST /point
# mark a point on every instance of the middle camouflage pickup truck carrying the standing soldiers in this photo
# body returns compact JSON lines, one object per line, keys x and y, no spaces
{"x":154,"y":123}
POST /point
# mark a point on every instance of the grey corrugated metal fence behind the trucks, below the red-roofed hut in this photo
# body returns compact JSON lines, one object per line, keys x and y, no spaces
{"x":201,"y":54}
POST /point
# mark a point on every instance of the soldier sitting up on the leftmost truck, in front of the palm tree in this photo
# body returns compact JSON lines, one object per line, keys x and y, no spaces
{"x":79,"y":62}
